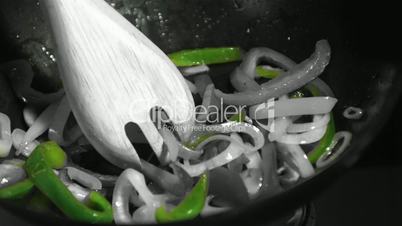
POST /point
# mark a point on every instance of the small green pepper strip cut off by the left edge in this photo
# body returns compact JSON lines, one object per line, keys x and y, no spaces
{"x":17,"y":191}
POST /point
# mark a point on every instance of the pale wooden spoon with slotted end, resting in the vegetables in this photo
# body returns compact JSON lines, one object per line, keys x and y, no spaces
{"x":112,"y":75}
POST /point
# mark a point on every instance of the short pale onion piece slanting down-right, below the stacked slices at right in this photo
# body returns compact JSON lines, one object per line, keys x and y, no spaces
{"x":295,"y":157}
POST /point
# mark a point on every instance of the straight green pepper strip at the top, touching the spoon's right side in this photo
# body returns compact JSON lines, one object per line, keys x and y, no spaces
{"x":194,"y":57}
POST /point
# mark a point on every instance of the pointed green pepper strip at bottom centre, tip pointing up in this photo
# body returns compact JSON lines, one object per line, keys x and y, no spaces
{"x":189,"y":208}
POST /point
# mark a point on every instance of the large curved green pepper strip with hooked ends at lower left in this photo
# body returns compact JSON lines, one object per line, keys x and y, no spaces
{"x":39,"y":166}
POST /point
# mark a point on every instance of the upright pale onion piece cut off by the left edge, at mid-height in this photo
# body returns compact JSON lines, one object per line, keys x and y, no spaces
{"x":5,"y":135}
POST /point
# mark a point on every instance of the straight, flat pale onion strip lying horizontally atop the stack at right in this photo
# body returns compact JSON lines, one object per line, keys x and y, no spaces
{"x":294,"y":107}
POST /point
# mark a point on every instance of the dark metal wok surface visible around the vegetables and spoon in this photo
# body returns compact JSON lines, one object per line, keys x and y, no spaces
{"x":364,"y":71}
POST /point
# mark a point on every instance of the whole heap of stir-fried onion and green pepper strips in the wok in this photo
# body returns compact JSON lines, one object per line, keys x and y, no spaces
{"x":254,"y":159}
